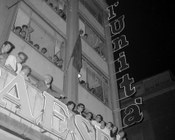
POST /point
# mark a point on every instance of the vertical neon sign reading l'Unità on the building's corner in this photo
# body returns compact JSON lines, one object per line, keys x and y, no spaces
{"x":132,"y":113}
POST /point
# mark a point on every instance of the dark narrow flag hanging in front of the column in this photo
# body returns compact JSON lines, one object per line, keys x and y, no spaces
{"x":77,"y":54}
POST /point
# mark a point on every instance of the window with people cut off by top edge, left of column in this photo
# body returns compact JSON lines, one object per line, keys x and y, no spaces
{"x":58,"y":6}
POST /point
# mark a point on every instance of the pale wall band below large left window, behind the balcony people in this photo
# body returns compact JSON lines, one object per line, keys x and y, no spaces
{"x":39,"y":64}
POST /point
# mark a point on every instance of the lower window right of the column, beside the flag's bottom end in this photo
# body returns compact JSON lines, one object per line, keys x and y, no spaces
{"x":96,"y":83}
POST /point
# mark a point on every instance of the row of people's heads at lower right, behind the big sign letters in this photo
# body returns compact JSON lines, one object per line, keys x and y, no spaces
{"x":97,"y":120}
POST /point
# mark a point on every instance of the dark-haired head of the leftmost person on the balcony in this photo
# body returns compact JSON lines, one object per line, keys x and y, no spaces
{"x":7,"y":47}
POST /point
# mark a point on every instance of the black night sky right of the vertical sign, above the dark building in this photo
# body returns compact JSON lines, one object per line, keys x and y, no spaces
{"x":150,"y":30}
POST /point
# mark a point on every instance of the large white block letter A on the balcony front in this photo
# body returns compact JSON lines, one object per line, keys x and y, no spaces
{"x":21,"y":99}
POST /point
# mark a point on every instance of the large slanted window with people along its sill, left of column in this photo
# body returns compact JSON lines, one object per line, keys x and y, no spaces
{"x":40,"y":35}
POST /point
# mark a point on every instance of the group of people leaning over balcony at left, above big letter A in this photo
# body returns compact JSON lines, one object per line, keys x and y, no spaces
{"x":15,"y":64}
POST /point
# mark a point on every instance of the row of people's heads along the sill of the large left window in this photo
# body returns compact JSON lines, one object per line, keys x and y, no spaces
{"x":24,"y":32}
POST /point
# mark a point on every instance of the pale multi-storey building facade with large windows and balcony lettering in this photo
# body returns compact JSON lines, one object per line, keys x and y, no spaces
{"x":53,"y":28}
